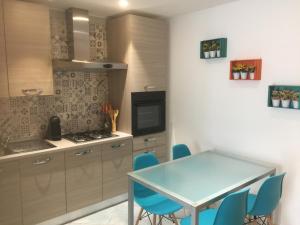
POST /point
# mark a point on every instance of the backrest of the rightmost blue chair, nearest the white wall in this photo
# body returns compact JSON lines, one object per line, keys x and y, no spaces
{"x":268,"y":196}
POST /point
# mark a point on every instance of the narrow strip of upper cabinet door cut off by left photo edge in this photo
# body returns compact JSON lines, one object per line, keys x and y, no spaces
{"x":3,"y":69}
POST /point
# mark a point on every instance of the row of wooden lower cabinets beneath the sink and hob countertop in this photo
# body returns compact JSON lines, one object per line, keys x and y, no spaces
{"x":43,"y":187}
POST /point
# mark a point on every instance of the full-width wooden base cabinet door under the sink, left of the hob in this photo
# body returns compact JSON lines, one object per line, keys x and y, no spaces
{"x":43,"y":188}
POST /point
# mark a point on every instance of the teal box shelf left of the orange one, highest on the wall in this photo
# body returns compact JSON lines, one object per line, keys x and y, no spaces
{"x":221,"y":42}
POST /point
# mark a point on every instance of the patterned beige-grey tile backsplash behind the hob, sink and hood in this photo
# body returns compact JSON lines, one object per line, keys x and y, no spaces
{"x":78,"y":95}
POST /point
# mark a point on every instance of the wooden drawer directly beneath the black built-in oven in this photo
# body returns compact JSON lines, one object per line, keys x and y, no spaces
{"x":149,"y":141}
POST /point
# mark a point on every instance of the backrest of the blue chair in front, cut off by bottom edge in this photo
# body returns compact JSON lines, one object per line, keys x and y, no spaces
{"x":233,"y":209}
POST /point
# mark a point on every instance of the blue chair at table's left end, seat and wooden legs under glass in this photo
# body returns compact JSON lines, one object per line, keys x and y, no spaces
{"x":150,"y":201}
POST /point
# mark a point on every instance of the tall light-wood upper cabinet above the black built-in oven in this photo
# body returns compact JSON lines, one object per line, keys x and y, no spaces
{"x":143,"y":45}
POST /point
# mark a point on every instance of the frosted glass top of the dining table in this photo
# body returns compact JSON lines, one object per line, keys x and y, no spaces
{"x":202,"y":177}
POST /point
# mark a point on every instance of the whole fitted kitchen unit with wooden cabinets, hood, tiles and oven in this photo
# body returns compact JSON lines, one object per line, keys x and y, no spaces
{"x":62,"y":79}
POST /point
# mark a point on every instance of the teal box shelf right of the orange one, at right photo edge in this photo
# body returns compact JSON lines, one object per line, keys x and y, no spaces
{"x":282,"y":88}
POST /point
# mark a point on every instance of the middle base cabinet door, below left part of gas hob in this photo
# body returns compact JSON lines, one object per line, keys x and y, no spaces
{"x":83,"y":178}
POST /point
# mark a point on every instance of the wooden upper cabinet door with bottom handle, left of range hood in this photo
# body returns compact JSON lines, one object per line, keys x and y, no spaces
{"x":27,"y":31}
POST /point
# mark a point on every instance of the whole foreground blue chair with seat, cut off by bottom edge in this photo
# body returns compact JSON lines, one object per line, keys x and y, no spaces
{"x":232,"y":211}
